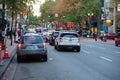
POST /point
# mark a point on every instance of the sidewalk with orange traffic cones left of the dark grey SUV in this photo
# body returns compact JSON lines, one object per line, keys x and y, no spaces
{"x":6,"y":62}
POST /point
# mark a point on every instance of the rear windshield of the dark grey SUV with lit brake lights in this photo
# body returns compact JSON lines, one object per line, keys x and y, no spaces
{"x":33,"y":40}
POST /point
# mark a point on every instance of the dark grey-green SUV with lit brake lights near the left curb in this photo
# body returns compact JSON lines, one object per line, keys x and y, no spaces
{"x":31,"y":46}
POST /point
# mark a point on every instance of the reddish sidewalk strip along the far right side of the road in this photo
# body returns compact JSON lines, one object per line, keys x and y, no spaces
{"x":84,"y":39}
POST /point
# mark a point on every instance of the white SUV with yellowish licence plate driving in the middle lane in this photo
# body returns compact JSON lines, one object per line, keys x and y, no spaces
{"x":67,"y":40}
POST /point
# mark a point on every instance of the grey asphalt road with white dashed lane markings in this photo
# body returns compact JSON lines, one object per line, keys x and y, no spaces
{"x":96,"y":61}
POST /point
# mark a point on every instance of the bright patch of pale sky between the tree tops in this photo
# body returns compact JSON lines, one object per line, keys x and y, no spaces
{"x":36,"y":7}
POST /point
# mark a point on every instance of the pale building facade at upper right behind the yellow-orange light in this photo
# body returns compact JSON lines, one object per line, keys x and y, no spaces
{"x":111,"y":13}
